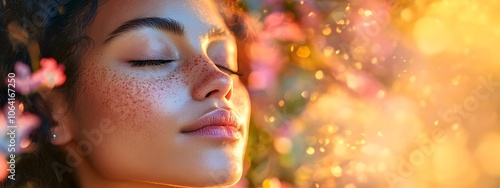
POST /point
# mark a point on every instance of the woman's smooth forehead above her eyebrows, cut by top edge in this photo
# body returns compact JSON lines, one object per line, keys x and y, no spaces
{"x":195,"y":15}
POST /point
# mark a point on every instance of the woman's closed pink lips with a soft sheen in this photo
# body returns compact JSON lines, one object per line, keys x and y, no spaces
{"x":218,"y":124}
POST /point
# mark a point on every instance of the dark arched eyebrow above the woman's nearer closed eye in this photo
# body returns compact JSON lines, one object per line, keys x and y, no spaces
{"x":151,"y":22}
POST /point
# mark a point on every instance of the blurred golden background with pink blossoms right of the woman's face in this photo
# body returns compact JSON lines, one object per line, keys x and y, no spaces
{"x":374,"y":93}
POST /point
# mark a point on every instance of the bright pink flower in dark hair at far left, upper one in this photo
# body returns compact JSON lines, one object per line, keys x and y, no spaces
{"x":50,"y":75}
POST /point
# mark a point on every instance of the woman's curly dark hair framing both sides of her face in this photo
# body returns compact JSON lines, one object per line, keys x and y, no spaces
{"x":58,"y":26}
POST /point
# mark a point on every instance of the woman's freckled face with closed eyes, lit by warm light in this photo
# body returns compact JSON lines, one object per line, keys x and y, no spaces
{"x":163,"y":81}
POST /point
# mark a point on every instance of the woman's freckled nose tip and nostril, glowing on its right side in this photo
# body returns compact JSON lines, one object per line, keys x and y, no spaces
{"x":212,"y":83}
